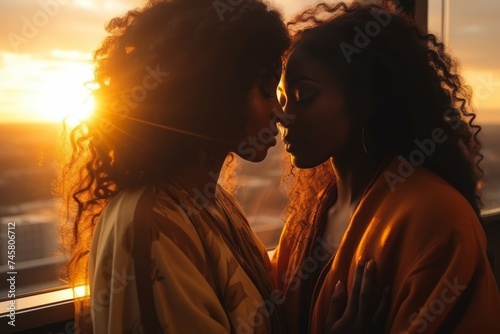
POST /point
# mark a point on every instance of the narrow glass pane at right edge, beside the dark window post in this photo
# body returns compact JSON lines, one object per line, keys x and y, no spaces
{"x":473,"y":38}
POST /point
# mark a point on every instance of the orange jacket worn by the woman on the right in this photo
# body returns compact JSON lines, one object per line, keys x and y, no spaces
{"x":427,"y":243}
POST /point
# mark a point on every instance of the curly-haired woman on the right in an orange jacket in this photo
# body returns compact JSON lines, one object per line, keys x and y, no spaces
{"x":384,"y":132}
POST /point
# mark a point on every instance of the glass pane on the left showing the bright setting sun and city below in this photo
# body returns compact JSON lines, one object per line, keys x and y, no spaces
{"x":45,"y":59}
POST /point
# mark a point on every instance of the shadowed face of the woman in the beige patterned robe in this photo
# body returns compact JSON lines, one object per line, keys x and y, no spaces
{"x":260,"y":122}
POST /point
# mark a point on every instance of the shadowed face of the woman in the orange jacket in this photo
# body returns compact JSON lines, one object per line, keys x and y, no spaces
{"x":316,"y":123}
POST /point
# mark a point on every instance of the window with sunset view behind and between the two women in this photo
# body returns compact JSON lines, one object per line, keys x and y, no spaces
{"x":45,"y":58}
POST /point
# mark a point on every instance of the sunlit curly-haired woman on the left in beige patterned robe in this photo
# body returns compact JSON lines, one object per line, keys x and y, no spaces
{"x":180,"y":85}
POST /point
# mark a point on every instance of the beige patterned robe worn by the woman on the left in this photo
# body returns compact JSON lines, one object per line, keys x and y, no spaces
{"x":201,"y":282}
